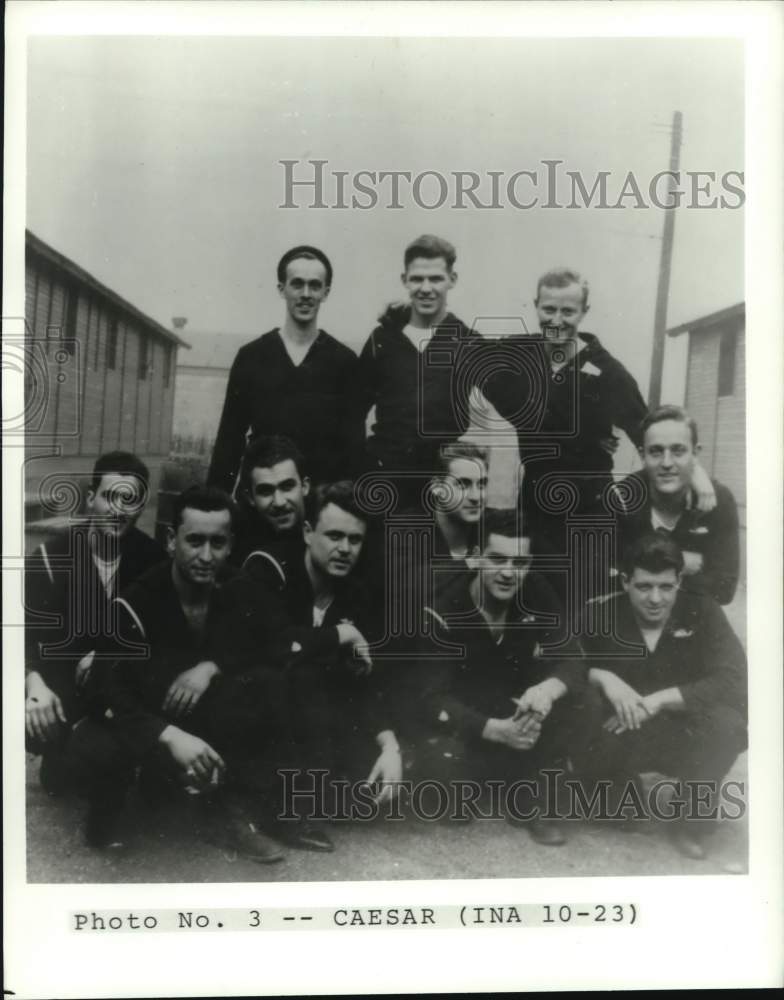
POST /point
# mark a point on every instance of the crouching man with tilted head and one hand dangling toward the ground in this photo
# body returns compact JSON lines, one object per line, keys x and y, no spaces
{"x":322,"y":615}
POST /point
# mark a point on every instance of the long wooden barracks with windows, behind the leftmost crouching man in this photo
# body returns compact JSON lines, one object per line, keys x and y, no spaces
{"x":99,"y":375}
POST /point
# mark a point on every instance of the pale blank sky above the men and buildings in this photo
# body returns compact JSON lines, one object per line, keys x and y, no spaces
{"x":153,"y":163}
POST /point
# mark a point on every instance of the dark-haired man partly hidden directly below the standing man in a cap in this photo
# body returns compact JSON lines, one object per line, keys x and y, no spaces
{"x":273,"y":487}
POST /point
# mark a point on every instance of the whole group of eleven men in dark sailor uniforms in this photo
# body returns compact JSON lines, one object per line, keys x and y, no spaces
{"x":294,"y":628}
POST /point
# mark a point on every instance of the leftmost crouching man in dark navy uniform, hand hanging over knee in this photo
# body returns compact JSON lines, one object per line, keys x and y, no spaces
{"x":70,"y":583}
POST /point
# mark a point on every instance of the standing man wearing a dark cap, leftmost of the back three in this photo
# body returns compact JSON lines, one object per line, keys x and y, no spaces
{"x":295,"y":380}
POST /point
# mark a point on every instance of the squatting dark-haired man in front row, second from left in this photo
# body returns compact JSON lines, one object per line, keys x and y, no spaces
{"x":197,"y":708}
